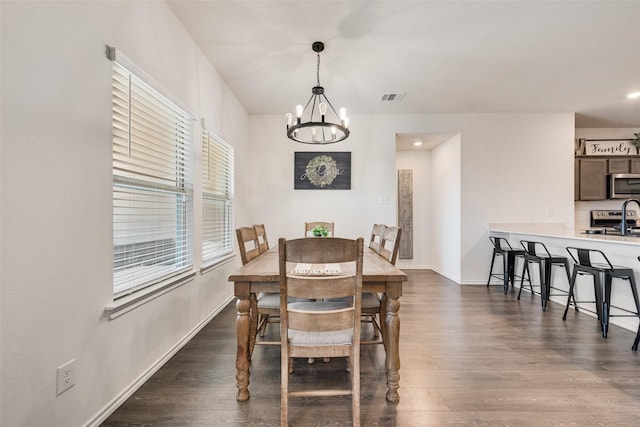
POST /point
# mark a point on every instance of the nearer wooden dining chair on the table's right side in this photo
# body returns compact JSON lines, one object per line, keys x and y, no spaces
{"x":373,"y":304}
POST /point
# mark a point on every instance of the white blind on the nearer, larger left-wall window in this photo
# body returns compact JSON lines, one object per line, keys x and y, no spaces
{"x":152,"y":191}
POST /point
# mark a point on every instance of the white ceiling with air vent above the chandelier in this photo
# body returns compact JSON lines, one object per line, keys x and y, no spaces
{"x":447,"y":56}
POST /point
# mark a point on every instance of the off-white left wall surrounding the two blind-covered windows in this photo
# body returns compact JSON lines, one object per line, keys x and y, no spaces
{"x":56,"y":224}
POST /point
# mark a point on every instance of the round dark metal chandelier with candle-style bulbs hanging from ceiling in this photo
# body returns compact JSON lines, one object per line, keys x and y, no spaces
{"x":317,"y":128}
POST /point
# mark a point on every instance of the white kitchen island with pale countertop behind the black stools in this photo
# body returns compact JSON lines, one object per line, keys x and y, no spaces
{"x":620,"y":250}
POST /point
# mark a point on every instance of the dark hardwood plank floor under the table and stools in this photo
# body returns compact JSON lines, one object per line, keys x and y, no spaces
{"x":470,"y":355}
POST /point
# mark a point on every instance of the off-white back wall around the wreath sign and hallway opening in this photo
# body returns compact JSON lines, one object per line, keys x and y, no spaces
{"x":513,"y":168}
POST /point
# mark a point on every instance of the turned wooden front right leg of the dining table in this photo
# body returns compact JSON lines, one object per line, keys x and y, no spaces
{"x":391,"y":339}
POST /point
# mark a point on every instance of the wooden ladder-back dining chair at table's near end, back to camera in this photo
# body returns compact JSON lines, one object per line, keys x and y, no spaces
{"x":318,"y":328}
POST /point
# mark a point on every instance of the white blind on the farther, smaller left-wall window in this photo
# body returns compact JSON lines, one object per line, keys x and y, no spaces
{"x":217,"y":197}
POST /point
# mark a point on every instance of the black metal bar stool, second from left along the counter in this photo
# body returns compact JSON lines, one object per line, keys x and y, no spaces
{"x":537,"y":252}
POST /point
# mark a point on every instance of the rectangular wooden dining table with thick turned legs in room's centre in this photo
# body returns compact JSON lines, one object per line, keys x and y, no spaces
{"x":262,"y":275}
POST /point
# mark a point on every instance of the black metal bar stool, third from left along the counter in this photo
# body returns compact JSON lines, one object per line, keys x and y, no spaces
{"x":603,"y":273}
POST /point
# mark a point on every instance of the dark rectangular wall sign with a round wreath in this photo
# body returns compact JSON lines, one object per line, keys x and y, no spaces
{"x":322,"y":171}
